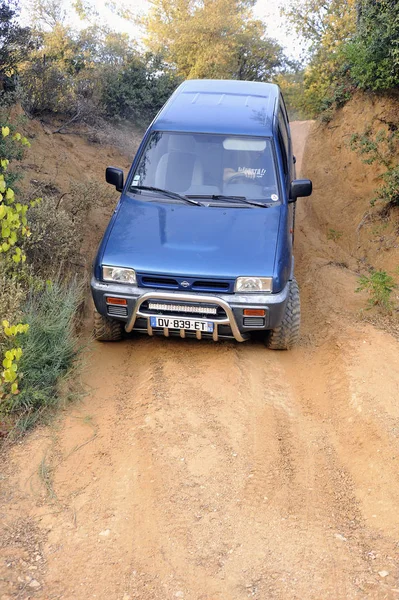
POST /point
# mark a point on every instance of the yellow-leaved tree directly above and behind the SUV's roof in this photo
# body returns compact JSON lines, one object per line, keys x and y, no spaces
{"x":212,"y":38}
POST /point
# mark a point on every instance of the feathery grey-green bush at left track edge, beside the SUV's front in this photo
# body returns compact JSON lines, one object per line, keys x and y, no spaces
{"x":50,"y":348}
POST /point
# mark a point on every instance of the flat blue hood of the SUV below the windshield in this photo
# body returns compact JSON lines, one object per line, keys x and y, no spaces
{"x":165,"y":238}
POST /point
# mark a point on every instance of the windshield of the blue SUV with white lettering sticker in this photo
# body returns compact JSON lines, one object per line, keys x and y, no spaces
{"x":206,"y":165}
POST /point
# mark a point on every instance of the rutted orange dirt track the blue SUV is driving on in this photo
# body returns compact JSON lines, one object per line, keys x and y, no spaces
{"x":220,"y":471}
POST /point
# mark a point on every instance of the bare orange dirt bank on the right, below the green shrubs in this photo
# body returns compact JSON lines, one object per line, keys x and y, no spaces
{"x":344,"y":184}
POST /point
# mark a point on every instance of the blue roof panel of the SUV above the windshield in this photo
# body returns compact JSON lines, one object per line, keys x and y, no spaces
{"x":220,"y":106}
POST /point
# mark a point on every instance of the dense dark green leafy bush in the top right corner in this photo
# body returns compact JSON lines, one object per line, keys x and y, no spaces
{"x":373,"y":54}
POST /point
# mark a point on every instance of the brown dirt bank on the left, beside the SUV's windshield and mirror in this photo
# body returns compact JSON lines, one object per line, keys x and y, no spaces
{"x":56,"y":161}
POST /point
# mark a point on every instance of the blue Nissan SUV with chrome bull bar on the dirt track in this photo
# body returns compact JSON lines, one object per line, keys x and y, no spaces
{"x":200,"y":243}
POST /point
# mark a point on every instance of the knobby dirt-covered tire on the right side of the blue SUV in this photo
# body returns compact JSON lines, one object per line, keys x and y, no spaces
{"x":286,"y":335}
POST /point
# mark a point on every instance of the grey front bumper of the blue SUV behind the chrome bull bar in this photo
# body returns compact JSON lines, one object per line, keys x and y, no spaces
{"x":232,"y":324}
